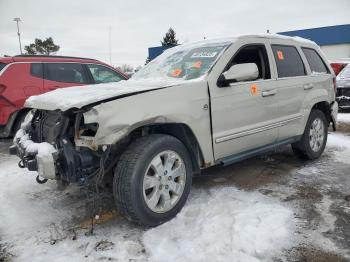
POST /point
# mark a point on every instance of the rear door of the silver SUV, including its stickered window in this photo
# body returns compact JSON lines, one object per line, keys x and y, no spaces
{"x":291,"y":80}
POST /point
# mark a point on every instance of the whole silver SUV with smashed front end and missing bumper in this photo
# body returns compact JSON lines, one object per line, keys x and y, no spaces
{"x":197,"y":105}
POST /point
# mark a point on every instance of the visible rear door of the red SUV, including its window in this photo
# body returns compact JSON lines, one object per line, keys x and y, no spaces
{"x":58,"y":75}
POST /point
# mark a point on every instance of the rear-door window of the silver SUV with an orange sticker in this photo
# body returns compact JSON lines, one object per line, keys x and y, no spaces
{"x":288,"y":61}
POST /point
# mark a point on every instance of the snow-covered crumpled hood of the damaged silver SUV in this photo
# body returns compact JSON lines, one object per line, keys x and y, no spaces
{"x":79,"y":96}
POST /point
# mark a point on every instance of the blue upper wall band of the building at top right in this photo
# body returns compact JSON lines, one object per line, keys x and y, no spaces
{"x":328,"y":35}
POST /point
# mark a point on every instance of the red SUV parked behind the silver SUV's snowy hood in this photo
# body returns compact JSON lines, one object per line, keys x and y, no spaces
{"x":23,"y":76}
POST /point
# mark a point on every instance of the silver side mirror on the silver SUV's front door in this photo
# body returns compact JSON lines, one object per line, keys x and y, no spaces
{"x":242,"y":72}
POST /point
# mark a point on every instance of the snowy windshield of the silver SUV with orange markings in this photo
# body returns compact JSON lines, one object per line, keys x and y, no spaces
{"x":182,"y":62}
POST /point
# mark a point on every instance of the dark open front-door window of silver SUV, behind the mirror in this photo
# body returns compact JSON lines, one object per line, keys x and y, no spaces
{"x":253,"y":54}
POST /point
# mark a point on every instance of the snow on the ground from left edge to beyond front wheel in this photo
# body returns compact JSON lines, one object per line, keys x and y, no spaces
{"x":220,"y":224}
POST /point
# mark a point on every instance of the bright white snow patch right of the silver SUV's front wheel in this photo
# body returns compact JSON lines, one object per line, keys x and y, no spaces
{"x":225,"y":224}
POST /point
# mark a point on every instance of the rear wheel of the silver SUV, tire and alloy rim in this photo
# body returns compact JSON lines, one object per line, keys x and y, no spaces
{"x":309,"y":147}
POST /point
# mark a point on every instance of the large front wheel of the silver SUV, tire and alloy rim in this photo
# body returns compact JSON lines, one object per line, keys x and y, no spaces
{"x":136,"y":165}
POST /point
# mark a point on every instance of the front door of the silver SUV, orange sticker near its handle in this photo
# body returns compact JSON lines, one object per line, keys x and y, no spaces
{"x":243,"y":113}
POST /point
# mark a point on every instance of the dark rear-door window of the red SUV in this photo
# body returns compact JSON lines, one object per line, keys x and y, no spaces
{"x":65,"y":72}
